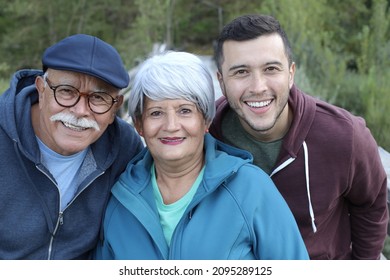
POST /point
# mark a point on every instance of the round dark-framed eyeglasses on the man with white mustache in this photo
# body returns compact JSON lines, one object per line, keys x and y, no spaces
{"x":68,"y":96}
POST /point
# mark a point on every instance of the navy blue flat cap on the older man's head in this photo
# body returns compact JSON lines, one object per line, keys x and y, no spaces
{"x":89,"y":55}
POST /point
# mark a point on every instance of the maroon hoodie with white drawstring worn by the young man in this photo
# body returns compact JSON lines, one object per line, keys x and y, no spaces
{"x":330,"y":173}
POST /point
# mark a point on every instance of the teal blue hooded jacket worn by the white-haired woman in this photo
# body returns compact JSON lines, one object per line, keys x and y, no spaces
{"x":236,"y":213}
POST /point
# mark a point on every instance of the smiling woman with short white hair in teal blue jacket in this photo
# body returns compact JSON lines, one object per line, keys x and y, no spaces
{"x":188,"y":196}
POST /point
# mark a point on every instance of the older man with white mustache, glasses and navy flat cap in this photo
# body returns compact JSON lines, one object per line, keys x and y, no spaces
{"x":61,"y":149}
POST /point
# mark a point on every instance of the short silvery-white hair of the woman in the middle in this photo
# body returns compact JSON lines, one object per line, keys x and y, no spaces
{"x":173,"y":75}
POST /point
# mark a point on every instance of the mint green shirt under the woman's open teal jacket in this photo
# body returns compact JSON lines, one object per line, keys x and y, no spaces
{"x":170,"y":214}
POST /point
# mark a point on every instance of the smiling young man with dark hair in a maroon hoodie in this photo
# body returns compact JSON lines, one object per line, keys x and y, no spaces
{"x":323,"y":159}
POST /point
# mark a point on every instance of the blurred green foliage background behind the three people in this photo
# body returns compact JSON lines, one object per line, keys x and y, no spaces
{"x":342,"y":48}
